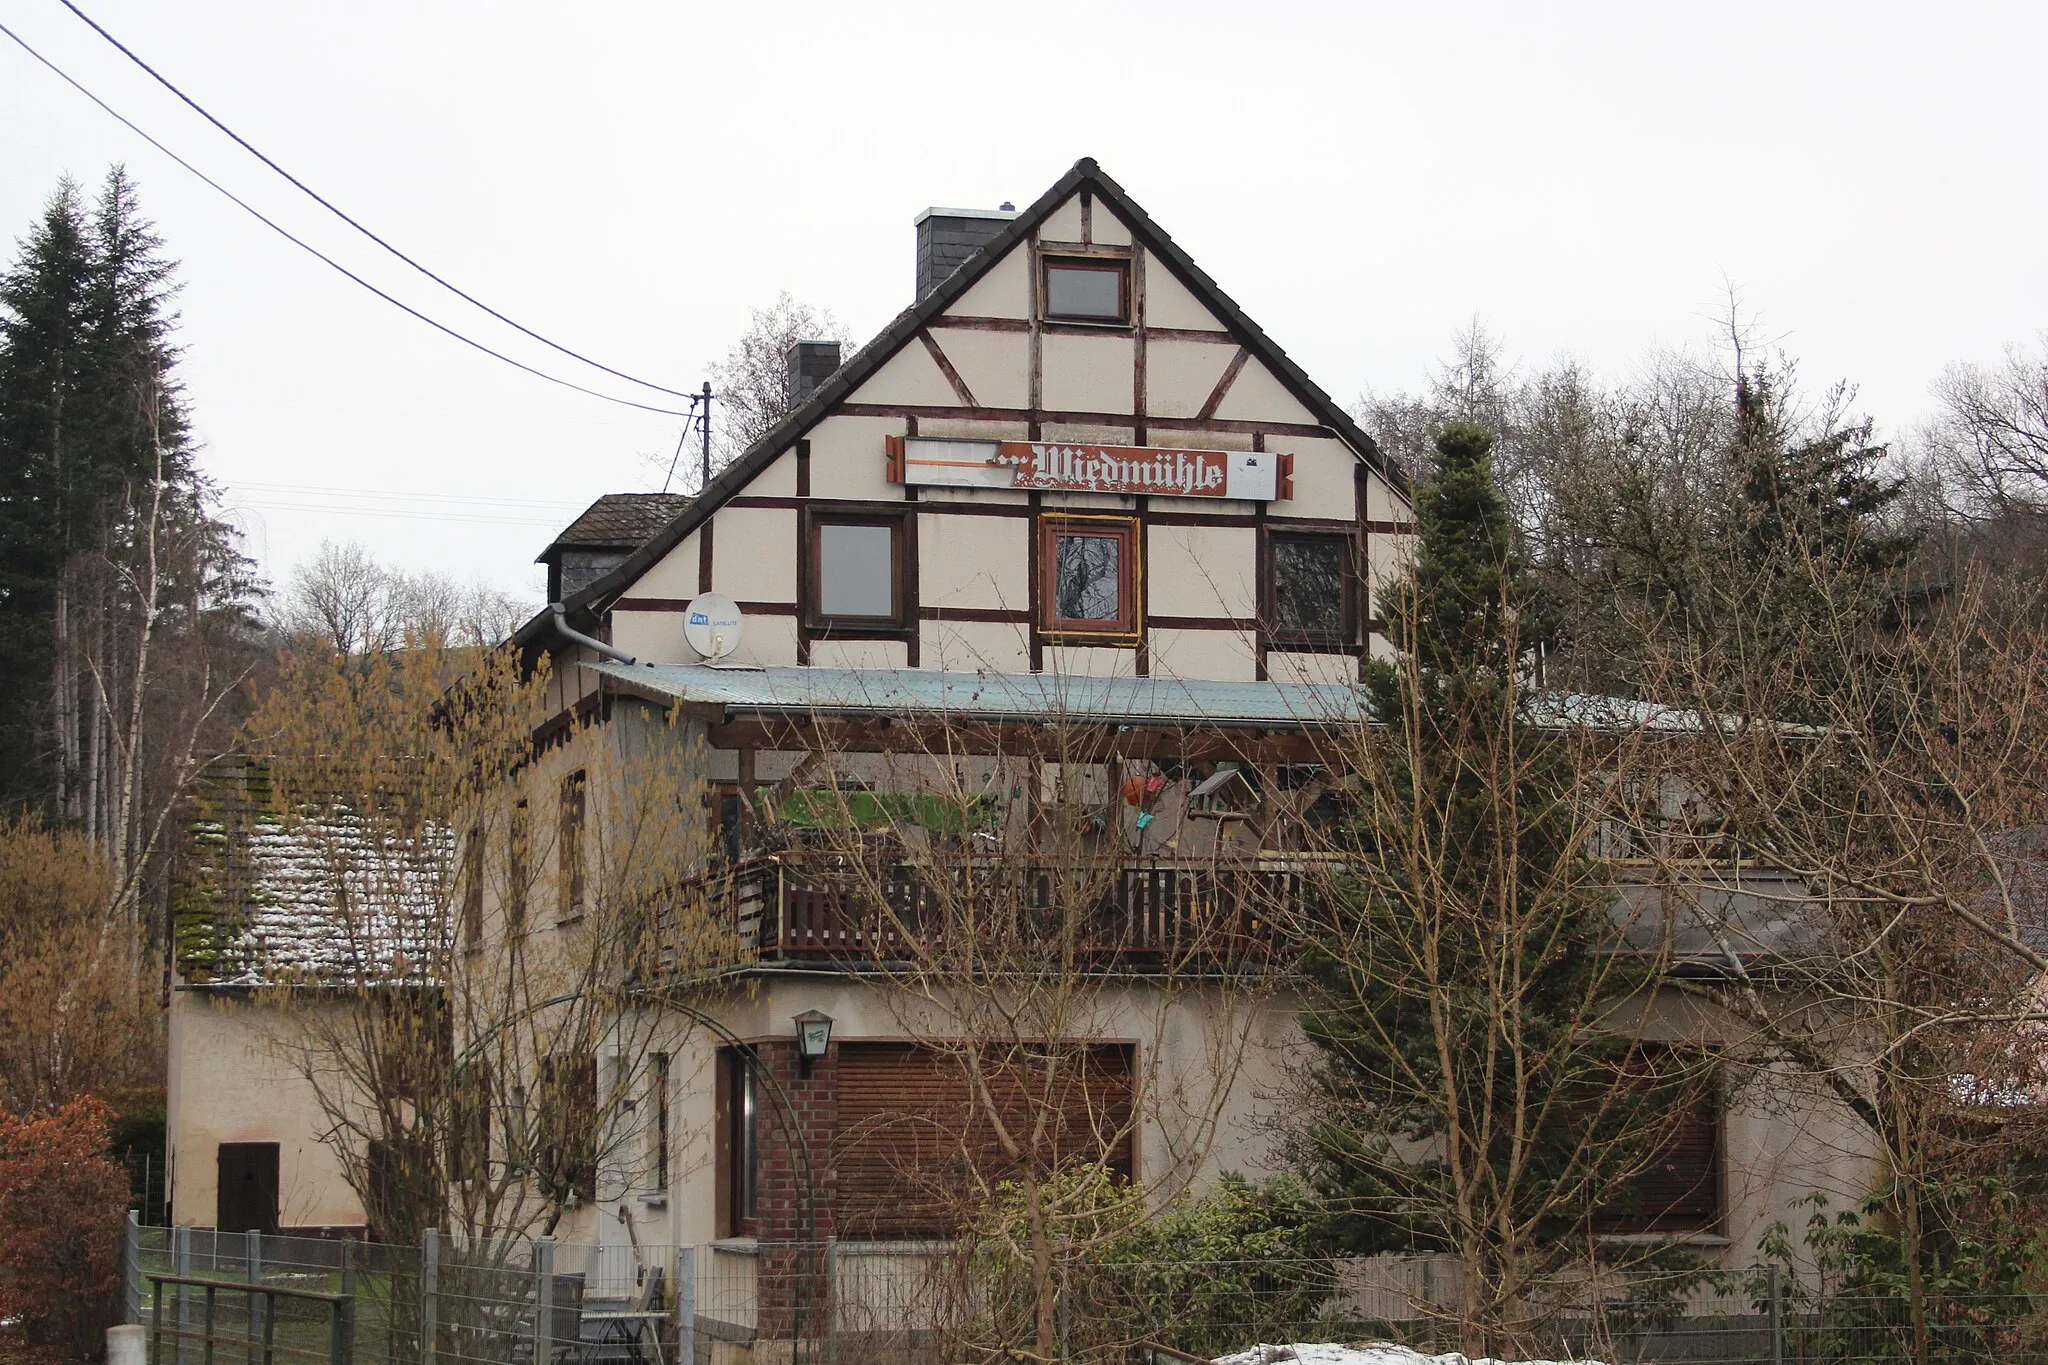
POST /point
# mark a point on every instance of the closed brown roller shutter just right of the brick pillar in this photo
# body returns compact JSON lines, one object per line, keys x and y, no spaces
{"x":912,"y":1145}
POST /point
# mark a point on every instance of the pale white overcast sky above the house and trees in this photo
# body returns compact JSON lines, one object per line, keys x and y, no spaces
{"x":1363,"y":179}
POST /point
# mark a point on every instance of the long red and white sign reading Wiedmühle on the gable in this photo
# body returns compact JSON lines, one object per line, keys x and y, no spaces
{"x":1072,"y":468}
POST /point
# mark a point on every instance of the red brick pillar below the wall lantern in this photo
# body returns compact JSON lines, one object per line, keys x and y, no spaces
{"x":792,"y":1274}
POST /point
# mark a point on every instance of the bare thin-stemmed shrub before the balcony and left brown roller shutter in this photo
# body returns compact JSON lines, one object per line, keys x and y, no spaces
{"x":1068,"y":979}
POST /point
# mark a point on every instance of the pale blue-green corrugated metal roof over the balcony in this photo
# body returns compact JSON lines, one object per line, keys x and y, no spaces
{"x":994,"y":697}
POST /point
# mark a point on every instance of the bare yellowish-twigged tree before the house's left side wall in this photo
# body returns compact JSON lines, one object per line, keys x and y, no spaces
{"x":447,"y":928}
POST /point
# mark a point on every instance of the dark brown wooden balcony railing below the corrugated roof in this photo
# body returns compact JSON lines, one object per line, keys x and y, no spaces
{"x":1127,"y":916}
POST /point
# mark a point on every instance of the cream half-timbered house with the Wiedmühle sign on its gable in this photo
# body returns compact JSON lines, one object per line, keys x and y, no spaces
{"x":1070,"y":488}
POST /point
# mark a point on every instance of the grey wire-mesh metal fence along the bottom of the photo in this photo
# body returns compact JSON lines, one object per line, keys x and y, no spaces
{"x":273,"y":1301}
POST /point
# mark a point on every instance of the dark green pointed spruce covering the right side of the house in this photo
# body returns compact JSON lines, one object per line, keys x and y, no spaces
{"x":1459,"y":998}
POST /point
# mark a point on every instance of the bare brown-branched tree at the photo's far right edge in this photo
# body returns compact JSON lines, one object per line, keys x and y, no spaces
{"x":1904,"y":795}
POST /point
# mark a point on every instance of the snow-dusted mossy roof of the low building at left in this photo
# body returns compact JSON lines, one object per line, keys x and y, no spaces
{"x":316,"y":901}
